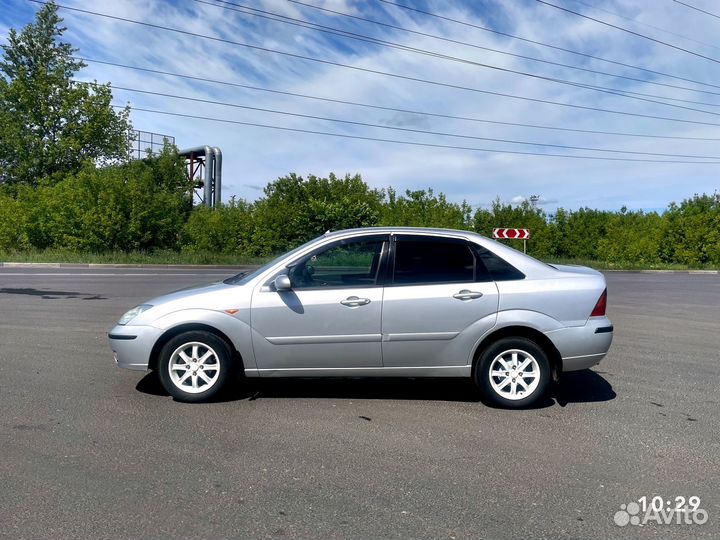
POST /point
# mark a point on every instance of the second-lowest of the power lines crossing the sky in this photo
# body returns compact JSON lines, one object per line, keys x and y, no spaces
{"x":404,"y":129}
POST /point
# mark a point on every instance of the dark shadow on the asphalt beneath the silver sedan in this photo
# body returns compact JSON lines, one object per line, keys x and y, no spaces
{"x":575,"y":387}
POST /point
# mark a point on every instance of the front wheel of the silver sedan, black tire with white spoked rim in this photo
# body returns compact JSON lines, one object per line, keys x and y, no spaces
{"x":194,"y":366}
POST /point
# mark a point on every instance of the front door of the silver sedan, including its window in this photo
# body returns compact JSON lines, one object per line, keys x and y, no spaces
{"x":330,"y":318}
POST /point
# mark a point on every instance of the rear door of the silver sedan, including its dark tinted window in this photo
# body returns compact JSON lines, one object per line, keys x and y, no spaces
{"x":438,"y":301}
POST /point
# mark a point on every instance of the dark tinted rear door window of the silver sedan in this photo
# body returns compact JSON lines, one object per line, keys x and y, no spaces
{"x":429,"y":260}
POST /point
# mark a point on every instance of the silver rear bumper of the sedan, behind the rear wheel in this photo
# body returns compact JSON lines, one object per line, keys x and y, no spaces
{"x":582,"y":347}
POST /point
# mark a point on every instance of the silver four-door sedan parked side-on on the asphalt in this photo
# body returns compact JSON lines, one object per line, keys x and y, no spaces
{"x":379,"y":302}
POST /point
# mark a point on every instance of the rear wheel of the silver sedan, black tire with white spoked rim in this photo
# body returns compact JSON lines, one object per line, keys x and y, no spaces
{"x":499,"y":380}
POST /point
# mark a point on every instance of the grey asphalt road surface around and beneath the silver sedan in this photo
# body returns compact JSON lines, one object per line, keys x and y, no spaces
{"x":91,"y":451}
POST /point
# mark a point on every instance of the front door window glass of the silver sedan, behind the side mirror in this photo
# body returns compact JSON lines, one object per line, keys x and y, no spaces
{"x":347,"y":264}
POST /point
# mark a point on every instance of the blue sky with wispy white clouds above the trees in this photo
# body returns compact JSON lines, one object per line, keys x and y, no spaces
{"x":471,"y":53}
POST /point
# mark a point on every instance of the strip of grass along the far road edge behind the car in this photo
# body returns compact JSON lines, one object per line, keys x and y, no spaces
{"x":187,"y":258}
